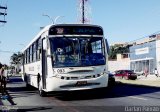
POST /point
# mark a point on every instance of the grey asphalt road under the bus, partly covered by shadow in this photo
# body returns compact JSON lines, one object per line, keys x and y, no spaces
{"x":122,"y":97}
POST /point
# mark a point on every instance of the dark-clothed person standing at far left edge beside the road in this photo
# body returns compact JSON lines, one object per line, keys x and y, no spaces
{"x":2,"y":79}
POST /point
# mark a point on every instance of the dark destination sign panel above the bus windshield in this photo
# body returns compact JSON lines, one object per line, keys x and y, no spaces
{"x":75,"y":30}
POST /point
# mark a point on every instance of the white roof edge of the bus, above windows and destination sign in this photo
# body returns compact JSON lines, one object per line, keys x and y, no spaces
{"x":46,"y":28}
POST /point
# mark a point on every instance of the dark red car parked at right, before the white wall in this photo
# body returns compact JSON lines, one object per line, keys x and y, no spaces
{"x":126,"y":74}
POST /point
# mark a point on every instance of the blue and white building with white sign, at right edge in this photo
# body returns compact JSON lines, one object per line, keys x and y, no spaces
{"x":145,"y":54}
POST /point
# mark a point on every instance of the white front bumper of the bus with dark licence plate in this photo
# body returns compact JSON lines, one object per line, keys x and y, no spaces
{"x":56,"y":84}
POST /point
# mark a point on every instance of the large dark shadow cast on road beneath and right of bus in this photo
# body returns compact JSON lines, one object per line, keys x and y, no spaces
{"x":120,"y":90}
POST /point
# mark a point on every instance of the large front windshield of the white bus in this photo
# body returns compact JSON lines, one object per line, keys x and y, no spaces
{"x":77,"y":51}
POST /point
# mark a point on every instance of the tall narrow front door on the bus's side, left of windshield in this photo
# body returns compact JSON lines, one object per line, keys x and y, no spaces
{"x":44,"y":63}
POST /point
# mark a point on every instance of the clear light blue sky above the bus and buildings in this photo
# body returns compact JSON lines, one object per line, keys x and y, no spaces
{"x":122,"y":20}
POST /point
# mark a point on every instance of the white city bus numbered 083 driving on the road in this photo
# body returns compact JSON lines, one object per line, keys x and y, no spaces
{"x":66,"y":57}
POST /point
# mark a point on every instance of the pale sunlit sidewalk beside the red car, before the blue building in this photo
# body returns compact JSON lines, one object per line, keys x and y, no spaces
{"x":150,"y":81}
